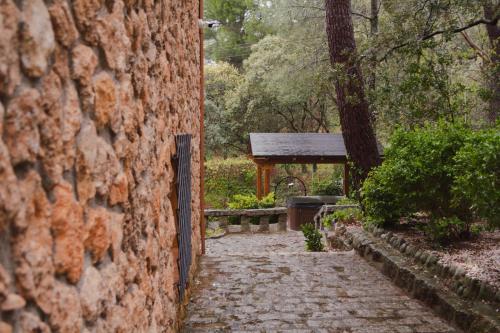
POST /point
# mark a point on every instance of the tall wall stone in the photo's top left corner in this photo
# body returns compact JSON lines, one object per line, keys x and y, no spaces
{"x":9,"y":43}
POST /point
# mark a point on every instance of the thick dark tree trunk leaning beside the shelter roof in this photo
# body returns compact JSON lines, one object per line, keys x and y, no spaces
{"x":357,"y":130}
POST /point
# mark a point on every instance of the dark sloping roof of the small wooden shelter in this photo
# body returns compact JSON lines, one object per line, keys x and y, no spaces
{"x":297,"y":148}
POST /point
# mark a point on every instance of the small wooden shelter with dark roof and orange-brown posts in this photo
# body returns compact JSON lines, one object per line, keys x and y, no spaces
{"x":269,"y":149}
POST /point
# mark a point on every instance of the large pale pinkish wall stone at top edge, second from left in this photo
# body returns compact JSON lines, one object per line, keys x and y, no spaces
{"x":37,"y":38}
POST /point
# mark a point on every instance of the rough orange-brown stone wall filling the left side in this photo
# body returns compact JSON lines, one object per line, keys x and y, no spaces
{"x":92,"y":93}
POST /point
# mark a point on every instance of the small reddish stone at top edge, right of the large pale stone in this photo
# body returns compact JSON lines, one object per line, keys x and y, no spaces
{"x":62,"y":20}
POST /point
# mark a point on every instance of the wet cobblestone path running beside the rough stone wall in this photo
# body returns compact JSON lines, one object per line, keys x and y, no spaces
{"x":268,"y":283}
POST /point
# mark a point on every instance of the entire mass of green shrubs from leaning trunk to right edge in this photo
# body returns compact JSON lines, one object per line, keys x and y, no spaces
{"x":449,"y":172}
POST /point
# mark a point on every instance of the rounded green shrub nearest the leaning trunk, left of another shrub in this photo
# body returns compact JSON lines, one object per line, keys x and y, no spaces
{"x":416,"y":176}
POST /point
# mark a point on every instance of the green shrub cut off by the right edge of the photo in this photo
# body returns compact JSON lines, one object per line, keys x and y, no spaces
{"x":477,"y":175}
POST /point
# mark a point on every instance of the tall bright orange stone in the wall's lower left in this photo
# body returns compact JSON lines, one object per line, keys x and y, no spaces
{"x":67,"y":228}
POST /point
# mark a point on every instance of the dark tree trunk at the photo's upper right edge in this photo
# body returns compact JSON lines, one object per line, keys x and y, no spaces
{"x":493,"y":82}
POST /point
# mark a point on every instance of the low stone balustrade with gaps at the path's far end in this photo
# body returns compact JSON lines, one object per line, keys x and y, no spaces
{"x":246,"y":215}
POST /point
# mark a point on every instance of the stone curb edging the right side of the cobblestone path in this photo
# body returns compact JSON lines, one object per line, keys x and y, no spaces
{"x":422,"y":283}
